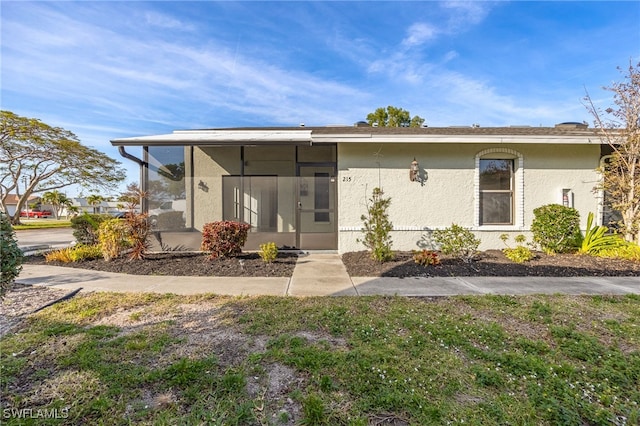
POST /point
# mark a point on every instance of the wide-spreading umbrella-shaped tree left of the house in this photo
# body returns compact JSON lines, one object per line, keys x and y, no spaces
{"x":48,"y":158}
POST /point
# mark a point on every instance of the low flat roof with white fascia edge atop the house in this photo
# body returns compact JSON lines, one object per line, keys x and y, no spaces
{"x":366,"y":134}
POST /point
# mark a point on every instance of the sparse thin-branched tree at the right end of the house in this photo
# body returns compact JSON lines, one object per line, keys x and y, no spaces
{"x":619,"y":127}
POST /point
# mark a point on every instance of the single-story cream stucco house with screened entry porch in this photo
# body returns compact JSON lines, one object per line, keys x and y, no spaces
{"x":308,"y":187}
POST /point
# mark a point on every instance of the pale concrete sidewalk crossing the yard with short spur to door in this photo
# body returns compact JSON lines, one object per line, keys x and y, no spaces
{"x":323,"y":274}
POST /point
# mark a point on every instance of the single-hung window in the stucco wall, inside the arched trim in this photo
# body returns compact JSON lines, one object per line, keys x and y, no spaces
{"x":496,"y":191}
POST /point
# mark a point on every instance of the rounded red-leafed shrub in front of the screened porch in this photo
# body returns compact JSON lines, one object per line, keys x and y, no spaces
{"x":224,"y":238}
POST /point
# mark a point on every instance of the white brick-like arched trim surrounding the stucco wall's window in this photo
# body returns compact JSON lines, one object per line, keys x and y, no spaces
{"x":518,"y":214}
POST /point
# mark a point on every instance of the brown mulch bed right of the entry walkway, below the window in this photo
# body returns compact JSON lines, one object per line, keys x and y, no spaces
{"x":491,"y":263}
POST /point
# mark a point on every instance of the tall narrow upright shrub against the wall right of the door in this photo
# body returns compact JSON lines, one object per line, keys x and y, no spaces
{"x":377,"y":227}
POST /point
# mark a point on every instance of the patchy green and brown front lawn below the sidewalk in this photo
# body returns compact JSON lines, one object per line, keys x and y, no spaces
{"x":166,"y":359}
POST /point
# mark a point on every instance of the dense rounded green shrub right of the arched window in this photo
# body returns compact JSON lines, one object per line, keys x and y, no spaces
{"x":556,"y":228}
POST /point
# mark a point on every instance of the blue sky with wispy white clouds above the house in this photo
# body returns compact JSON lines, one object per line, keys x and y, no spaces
{"x":105,"y":70}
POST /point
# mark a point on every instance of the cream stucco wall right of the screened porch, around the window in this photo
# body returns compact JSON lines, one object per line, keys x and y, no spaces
{"x":448,"y":194}
